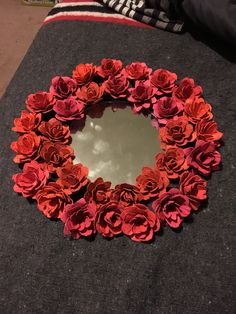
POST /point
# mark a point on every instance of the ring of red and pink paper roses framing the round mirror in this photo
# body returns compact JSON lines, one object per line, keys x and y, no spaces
{"x":163,"y":194}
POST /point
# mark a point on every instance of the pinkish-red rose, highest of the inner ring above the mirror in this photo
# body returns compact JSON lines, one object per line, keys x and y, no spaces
{"x":117,"y":86}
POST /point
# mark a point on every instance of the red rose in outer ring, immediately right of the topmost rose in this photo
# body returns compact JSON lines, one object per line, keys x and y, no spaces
{"x":137,"y":71}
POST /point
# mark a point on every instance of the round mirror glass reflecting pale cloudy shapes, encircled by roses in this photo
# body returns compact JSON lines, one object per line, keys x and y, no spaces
{"x":115,"y":143}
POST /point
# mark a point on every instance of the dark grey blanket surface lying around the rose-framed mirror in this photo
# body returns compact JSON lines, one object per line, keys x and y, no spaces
{"x":191,"y":271}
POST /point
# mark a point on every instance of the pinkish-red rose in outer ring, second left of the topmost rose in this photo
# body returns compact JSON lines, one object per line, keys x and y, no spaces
{"x":63,"y":87}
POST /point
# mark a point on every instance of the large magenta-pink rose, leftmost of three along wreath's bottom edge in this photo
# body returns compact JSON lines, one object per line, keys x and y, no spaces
{"x":79,"y":219}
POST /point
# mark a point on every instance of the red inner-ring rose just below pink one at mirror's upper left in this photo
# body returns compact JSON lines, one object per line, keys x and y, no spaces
{"x":55,"y":131}
